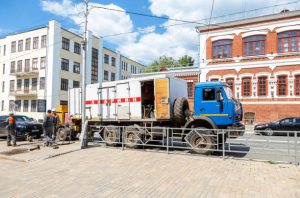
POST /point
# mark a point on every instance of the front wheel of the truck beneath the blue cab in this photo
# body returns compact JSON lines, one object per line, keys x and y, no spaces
{"x":202,"y":141}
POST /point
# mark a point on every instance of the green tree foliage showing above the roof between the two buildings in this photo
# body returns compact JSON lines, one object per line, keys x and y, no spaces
{"x":165,"y":62}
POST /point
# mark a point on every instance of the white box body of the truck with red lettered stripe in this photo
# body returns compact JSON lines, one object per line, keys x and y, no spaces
{"x":146,"y":98}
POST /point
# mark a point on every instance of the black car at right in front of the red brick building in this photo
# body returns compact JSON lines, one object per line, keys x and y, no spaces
{"x":283,"y":126}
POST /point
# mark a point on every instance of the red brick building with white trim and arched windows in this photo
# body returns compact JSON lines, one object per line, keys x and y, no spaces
{"x":260,"y":59}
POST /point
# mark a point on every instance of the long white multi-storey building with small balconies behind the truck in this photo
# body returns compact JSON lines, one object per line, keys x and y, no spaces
{"x":37,"y":68}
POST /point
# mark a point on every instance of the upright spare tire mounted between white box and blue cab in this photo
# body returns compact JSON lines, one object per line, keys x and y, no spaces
{"x":181,"y":110}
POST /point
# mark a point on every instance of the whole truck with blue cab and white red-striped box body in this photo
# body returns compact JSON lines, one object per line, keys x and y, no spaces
{"x":139,"y":108}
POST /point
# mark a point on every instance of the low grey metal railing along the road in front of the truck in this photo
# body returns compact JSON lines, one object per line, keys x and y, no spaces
{"x":280,"y":146}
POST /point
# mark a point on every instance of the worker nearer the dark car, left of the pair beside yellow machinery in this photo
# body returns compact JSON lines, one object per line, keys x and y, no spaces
{"x":48,"y":125}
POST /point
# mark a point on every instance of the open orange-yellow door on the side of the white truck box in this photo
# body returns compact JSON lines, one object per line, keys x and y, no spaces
{"x":162,"y":99}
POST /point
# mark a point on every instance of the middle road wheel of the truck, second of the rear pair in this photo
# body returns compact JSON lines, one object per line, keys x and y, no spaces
{"x":133,"y":137}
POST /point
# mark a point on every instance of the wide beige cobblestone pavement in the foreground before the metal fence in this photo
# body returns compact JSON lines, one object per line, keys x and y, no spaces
{"x":110,"y":172}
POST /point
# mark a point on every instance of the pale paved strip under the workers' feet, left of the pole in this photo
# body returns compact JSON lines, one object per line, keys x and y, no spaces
{"x":28,"y":152}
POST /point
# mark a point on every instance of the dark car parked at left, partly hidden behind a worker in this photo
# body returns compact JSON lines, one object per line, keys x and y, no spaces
{"x":24,"y":125}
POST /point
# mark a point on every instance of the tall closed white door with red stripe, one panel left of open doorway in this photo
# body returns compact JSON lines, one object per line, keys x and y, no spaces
{"x":122,"y":96}
